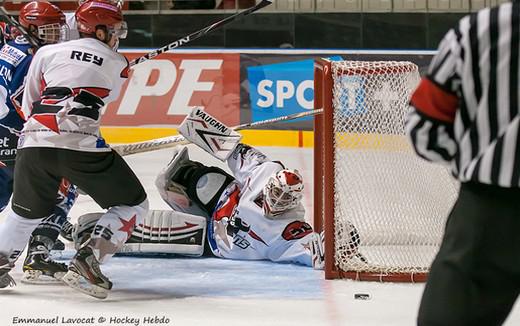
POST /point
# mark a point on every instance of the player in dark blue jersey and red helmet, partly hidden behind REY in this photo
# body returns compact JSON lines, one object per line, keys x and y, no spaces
{"x":45,"y":22}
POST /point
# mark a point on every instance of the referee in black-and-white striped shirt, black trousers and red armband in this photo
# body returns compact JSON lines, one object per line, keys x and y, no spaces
{"x":465,"y":115}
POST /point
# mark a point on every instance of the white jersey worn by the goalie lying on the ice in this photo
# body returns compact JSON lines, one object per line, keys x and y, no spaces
{"x":240,"y":230}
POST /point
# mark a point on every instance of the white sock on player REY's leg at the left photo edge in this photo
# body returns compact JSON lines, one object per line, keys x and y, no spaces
{"x":15,"y":232}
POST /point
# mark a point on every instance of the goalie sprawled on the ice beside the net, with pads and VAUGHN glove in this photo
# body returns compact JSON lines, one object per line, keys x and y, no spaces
{"x":254,"y":213}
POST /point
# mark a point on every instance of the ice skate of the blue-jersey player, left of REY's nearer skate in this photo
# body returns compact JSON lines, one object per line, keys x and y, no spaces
{"x":38,"y":266}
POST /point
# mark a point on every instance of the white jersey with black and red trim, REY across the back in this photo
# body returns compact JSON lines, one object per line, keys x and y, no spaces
{"x":67,"y":85}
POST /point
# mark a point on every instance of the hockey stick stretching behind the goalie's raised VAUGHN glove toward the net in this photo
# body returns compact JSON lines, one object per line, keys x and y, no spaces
{"x":170,"y":141}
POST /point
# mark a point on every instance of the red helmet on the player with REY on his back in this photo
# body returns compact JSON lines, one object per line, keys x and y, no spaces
{"x":100,"y":13}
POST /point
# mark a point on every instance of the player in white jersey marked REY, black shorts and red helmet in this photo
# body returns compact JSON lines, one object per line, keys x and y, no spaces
{"x":67,"y":85}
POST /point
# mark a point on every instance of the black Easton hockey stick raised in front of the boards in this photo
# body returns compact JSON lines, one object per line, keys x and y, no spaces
{"x":199,"y":33}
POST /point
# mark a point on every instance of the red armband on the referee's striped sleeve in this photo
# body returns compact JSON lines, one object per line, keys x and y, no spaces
{"x":435,"y":102}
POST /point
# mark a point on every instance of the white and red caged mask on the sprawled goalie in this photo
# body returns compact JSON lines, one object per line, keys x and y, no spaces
{"x":282,"y":192}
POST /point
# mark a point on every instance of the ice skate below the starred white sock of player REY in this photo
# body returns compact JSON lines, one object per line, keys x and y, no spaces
{"x":85,"y":275}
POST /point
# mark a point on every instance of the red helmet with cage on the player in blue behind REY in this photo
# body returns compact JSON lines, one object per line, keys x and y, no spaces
{"x":49,"y":20}
